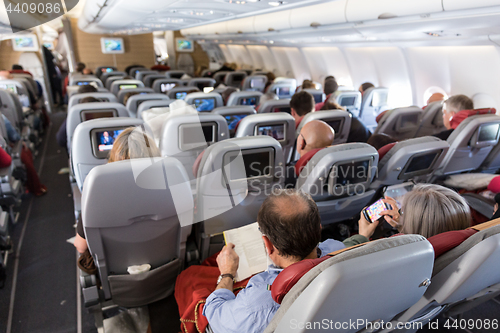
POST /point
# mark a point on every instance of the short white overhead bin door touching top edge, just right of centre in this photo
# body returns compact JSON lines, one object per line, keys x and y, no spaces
{"x":316,"y":15}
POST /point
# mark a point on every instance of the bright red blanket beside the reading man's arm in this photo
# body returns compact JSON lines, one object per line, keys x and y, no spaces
{"x":192,"y":288}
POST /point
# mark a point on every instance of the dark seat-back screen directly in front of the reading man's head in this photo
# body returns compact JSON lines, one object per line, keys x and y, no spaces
{"x":257,"y":163}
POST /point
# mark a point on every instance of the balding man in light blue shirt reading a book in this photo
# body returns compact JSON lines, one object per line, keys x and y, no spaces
{"x":291,"y":230}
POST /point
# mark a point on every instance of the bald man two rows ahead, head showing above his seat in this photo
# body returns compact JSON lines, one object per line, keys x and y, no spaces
{"x":315,"y":134}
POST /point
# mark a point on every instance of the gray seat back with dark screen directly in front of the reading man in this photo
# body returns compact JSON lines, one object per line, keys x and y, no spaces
{"x":234,"y":178}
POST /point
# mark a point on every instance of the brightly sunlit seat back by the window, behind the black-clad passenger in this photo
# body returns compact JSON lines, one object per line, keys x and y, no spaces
{"x":373,"y":103}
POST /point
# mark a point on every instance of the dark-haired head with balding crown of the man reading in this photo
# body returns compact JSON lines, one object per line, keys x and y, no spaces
{"x":296,"y":231}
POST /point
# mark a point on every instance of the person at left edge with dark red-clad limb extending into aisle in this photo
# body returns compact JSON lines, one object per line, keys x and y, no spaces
{"x":33,"y":183}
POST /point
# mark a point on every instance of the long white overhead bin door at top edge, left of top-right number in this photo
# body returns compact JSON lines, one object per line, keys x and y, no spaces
{"x":365,"y":10}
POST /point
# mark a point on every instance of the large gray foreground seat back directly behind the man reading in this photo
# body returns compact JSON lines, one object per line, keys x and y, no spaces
{"x":326,"y":292}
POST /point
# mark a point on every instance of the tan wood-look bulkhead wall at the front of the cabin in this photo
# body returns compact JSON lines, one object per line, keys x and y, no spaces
{"x":139,"y":49}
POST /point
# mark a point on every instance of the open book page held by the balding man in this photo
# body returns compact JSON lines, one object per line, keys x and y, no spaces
{"x":250,"y":248}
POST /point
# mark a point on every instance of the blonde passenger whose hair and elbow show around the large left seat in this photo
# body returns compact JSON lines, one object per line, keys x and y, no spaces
{"x":129,"y":144}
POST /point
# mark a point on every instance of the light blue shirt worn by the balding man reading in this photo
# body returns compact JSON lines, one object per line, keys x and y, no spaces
{"x":253,"y":308}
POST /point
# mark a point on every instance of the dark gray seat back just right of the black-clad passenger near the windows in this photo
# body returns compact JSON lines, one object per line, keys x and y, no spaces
{"x":400,"y":123}
